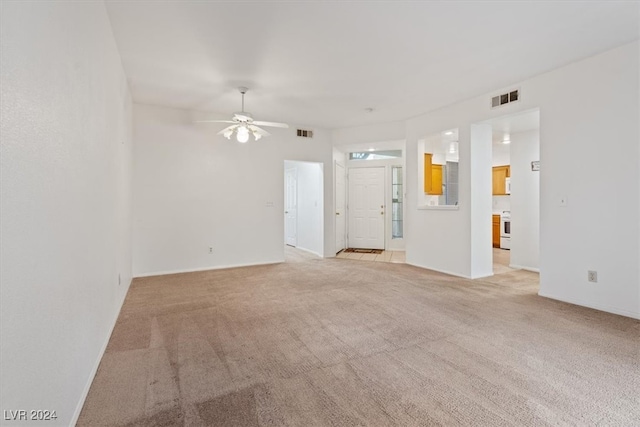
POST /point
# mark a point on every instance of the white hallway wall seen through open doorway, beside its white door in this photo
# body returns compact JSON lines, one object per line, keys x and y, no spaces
{"x":310,"y":206}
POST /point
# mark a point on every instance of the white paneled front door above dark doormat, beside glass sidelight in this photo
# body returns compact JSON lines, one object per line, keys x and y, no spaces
{"x":366,"y":208}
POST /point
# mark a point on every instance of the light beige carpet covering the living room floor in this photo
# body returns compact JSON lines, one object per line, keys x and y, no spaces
{"x":340,"y":342}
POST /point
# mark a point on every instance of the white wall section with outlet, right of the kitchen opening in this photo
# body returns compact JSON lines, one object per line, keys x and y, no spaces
{"x":584,"y":107}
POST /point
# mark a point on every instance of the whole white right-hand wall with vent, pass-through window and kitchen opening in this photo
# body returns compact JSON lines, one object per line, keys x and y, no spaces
{"x":582,"y":106}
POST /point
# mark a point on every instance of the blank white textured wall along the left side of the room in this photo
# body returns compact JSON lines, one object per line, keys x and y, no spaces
{"x":66,"y":201}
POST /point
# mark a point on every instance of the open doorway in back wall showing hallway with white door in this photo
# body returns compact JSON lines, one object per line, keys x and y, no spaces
{"x":303,"y":206}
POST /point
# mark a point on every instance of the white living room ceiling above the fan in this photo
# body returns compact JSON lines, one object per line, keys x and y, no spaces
{"x":323,"y":63}
